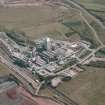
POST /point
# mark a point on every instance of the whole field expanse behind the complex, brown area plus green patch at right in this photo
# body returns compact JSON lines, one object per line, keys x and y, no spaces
{"x":45,"y":20}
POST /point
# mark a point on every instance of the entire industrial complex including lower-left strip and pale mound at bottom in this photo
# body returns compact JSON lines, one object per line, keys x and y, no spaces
{"x":46,"y":61}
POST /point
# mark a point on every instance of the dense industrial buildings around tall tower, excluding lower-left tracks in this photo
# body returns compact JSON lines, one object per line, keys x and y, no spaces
{"x":47,"y":58}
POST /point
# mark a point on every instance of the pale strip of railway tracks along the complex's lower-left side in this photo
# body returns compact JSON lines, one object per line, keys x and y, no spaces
{"x":27,"y":81}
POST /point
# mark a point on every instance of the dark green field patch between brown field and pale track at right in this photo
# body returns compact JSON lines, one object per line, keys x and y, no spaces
{"x":83,"y":30}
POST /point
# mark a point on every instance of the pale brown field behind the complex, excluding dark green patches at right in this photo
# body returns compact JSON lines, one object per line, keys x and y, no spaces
{"x":36,"y":21}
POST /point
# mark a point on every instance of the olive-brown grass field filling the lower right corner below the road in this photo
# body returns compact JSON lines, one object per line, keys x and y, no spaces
{"x":88,"y":88}
